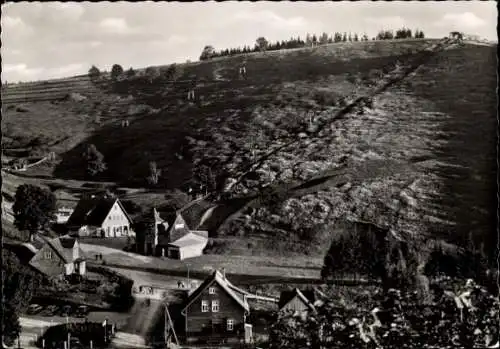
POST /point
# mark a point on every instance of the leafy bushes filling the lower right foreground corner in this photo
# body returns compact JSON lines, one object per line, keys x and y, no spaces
{"x":400,"y":322}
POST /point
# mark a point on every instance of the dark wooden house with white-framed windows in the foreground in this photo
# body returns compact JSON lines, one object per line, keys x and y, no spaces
{"x":216,"y":312}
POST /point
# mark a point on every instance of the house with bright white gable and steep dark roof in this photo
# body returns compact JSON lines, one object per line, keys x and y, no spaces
{"x":100,"y":216}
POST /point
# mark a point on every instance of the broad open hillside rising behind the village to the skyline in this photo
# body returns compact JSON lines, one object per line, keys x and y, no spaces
{"x":394,"y":130}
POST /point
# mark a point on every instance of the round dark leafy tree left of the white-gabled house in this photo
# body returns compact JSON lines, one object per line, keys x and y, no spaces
{"x":34,"y":208}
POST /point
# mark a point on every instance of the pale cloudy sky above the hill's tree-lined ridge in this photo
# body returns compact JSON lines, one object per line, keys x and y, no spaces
{"x":43,"y":40}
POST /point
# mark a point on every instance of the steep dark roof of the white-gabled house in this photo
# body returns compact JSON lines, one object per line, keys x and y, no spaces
{"x":93,"y":211}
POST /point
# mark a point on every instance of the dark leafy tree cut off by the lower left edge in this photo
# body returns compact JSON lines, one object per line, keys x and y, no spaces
{"x":18,"y":285}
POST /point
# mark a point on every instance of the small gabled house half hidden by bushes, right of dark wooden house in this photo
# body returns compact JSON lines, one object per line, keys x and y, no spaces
{"x":298,"y":302}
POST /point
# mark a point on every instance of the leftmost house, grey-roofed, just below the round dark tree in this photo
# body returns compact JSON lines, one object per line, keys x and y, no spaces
{"x":59,"y":258}
